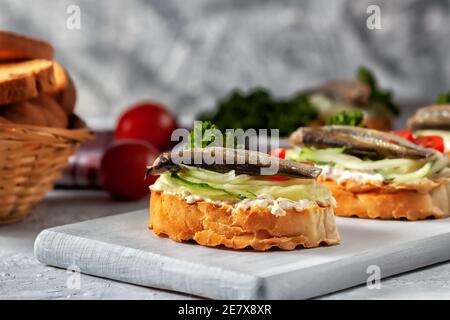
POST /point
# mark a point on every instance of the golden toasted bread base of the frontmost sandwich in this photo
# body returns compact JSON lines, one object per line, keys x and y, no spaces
{"x":210,"y":225}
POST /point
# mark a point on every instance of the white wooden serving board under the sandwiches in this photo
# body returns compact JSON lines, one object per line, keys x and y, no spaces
{"x":122,"y":248}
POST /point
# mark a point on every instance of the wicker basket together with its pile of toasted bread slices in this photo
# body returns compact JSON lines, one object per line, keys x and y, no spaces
{"x":36,"y":135}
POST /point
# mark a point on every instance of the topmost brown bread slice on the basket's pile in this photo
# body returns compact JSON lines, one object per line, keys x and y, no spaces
{"x":16,"y":47}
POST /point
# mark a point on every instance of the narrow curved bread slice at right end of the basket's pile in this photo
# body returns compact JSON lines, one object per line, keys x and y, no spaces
{"x":63,"y":90}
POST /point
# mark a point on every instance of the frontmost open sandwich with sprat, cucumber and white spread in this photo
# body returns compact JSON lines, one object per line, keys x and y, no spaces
{"x":234,"y":197}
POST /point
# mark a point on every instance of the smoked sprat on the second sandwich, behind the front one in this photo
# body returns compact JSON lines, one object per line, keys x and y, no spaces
{"x":360,"y":142}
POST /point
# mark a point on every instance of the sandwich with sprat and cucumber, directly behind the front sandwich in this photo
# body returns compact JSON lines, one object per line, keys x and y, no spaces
{"x":374,"y":174}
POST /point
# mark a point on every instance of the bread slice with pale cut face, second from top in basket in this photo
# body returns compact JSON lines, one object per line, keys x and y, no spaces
{"x":24,"y":80}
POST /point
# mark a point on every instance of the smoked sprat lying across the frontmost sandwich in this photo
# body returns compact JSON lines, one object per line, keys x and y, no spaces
{"x":223,"y":160}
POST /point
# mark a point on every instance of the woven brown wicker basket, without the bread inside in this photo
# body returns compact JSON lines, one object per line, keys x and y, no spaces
{"x":31,"y":160}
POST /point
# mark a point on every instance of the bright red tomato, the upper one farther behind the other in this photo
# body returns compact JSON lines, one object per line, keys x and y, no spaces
{"x":147,"y":121}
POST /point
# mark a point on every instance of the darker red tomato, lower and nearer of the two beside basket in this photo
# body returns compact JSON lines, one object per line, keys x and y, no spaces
{"x":123,"y":166}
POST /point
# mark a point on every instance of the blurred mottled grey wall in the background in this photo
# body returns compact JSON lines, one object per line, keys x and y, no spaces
{"x":188,"y":53}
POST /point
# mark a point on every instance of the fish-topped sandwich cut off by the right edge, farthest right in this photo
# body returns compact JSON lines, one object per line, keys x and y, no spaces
{"x":433,"y":121}
